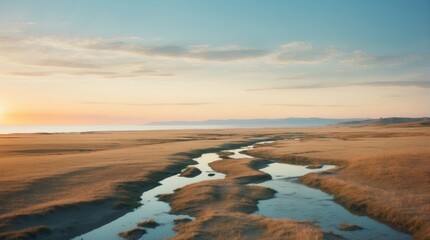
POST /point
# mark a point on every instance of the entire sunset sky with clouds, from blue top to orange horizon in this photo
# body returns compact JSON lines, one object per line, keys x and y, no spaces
{"x":133,"y":62}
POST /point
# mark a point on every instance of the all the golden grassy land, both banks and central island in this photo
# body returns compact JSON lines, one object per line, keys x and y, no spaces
{"x":383,"y":172}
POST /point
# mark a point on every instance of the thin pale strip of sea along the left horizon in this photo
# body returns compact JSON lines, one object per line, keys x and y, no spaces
{"x":8,"y":129}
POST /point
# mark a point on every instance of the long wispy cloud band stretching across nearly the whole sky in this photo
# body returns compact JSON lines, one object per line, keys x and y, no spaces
{"x":131,"y":57}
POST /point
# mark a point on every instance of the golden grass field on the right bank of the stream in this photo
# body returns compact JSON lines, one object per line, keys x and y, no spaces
{"x":384,"y":171}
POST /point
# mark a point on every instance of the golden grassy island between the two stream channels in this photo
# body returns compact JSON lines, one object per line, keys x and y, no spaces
{"x":220,"y":207}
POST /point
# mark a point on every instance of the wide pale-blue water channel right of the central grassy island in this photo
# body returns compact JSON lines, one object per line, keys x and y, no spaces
{"x":299,"y":202}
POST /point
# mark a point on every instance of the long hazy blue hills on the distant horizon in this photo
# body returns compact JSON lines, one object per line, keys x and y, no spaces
{"x":282,"y":122}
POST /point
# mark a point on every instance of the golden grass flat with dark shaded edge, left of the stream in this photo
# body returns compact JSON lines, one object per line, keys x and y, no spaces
{"x":64,"y":176}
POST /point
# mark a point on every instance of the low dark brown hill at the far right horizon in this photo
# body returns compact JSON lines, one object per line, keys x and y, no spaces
{"x":424,"y":121}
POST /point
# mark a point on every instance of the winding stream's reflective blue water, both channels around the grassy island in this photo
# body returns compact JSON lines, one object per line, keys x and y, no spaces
{"x":292,"y":200}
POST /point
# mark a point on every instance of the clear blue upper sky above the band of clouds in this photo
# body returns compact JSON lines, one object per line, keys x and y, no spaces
{"x":386,"y":26}
